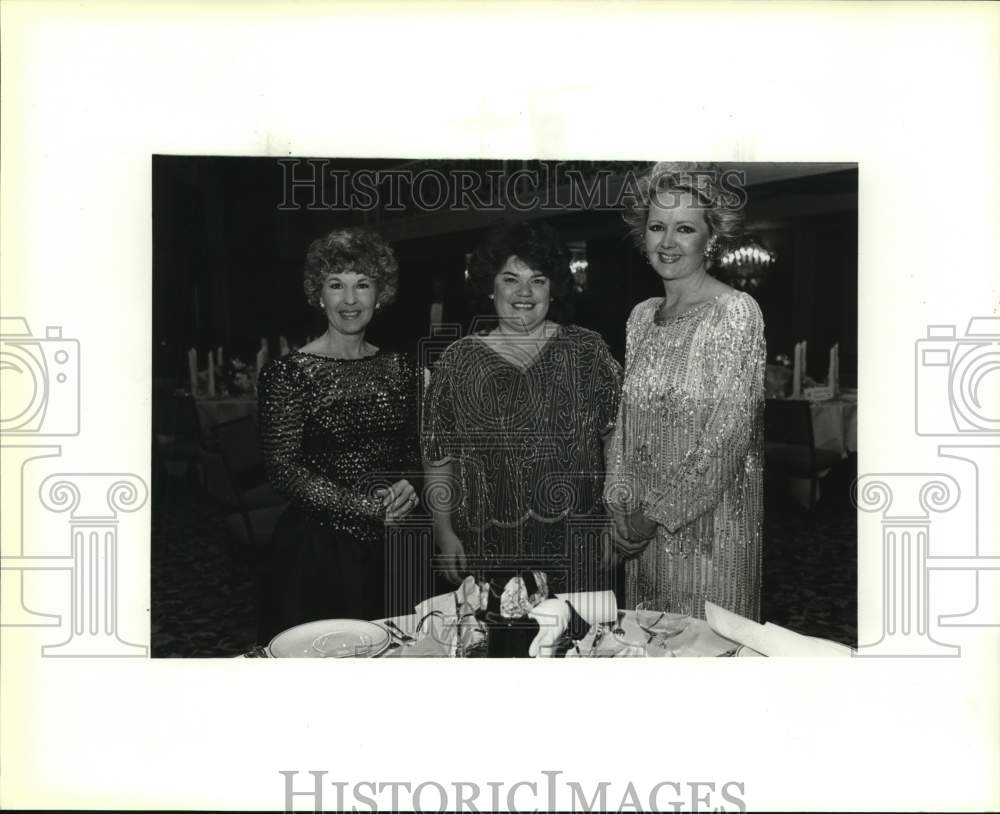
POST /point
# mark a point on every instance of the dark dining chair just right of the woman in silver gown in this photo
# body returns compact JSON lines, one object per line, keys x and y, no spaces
{"x":790,"y":446}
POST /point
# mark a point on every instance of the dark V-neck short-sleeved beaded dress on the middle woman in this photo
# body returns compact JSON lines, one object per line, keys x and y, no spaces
{"x":526,"y":446}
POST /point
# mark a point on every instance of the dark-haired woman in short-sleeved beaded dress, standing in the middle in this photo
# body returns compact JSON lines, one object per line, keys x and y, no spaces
{"x":515,"y":423}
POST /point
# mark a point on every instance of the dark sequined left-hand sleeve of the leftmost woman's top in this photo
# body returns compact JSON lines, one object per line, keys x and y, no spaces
{"x":283,"y":398}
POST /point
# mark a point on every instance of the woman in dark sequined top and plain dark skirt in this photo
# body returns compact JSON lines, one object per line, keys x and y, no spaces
{"x":338,"y":423}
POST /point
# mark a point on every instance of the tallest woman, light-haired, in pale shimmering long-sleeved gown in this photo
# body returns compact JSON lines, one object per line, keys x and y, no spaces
{"x":686,"y":494}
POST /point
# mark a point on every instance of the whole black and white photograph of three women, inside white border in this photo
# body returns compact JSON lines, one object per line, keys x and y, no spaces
{"x":465,"y":408}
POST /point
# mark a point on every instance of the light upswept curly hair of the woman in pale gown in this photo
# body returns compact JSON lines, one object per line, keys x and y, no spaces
{"x":703,"y":181}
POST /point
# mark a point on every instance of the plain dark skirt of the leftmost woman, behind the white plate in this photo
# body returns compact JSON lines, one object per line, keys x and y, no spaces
{"x":315,"y":572}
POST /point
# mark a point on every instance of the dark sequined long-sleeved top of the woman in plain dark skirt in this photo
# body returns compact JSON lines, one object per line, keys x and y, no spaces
{"x":333,"y":431}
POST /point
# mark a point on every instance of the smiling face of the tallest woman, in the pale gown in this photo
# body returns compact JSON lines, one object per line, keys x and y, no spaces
{"x":676,"y":235}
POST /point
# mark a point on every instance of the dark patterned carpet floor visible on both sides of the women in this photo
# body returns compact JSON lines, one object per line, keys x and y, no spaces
{"x":204,"y":587}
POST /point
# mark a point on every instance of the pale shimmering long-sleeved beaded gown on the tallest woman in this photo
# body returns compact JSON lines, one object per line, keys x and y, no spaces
{"x":688,"y":447}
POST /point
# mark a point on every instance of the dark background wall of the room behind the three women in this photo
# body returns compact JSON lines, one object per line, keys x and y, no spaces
{"x":227,"y":262}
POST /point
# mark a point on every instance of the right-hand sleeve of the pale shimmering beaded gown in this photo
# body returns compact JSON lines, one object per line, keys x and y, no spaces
{"x":695,"y":484}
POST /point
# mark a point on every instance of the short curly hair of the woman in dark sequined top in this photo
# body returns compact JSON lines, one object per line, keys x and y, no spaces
{"x":351,"y":250}
